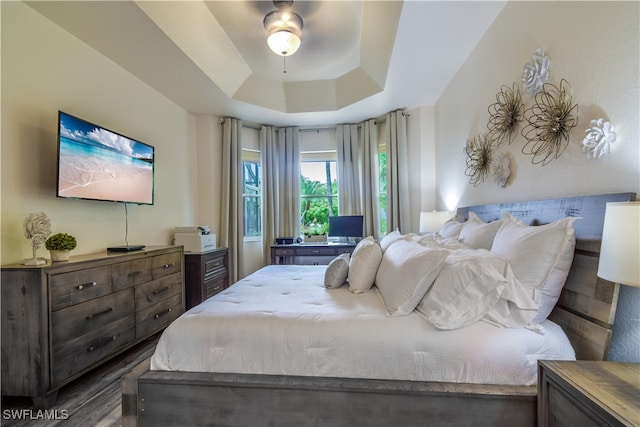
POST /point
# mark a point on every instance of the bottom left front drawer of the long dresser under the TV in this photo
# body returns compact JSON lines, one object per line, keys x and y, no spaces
{"x":71,"y":357}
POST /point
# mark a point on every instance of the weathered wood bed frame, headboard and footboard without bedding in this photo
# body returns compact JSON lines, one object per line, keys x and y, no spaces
{"x":586,"y":312}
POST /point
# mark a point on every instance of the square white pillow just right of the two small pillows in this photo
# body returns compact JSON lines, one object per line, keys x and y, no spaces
{"x":406,"y":273}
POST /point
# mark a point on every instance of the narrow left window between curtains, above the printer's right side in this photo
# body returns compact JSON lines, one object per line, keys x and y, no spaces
{"x":252,"y":198}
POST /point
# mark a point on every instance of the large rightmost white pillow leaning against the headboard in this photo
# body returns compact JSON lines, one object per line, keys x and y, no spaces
{"x":540,"y":257}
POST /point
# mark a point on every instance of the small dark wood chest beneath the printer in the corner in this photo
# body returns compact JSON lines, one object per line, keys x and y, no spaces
{"x":206,"y":274}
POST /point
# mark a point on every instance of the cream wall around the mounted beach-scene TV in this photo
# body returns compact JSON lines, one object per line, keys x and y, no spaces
{"x":45,"y":69}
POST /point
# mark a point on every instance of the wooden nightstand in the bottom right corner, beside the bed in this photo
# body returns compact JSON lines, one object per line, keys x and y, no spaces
{"x":588,"y":393}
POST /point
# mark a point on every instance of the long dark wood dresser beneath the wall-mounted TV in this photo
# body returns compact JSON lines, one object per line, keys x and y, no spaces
{"x":61,"y":319}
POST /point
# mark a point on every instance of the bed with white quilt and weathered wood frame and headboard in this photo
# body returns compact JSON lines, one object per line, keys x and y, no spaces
{"x":326,"y":377}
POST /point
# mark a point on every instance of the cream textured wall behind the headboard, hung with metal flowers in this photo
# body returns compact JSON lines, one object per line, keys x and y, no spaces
{"x":595,"y":47}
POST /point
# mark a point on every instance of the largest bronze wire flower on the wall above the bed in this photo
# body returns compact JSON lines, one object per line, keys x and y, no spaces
{"x":550,"y":119}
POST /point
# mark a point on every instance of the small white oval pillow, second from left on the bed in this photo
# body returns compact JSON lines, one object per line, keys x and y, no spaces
{"x":363,"y":265}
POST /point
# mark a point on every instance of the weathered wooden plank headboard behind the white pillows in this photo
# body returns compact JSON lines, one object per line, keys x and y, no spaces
{"x":587,"y":306}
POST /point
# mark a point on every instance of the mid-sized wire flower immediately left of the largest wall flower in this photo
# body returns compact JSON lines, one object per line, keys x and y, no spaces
{"x":505,"y":115}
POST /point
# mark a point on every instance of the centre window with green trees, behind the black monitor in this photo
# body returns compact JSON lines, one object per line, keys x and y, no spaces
{"x":318,"y":195}
